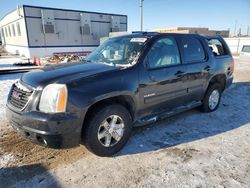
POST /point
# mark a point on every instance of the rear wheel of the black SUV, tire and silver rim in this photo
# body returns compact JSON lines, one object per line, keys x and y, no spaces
{"x":206,"y":104}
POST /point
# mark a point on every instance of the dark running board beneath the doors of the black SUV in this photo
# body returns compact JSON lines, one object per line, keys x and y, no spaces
{"x":151,"y":119}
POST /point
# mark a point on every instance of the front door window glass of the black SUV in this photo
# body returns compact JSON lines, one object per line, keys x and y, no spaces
{"x":163,"y":53}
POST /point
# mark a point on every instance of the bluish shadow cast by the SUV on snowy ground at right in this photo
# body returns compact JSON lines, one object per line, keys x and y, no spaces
{"x":233,"y":112}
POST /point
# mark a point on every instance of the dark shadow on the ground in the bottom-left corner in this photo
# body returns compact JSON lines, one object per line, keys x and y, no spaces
{"x":13,"y":176}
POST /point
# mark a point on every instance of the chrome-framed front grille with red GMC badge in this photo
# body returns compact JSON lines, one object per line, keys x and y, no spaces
{"x":19,"y":96}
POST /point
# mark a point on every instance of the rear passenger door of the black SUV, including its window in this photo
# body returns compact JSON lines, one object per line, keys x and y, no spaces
{"x":197,"y":66}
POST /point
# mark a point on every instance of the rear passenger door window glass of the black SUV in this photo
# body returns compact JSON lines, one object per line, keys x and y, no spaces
{"x":193,"y":50}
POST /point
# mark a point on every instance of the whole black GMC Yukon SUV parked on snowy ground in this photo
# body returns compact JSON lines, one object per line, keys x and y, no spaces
{"x":127,"y":81}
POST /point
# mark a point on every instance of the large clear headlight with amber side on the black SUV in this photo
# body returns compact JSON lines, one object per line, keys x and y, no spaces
{"x":54,"y":98}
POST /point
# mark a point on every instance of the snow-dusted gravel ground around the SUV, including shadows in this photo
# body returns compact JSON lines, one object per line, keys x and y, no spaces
{"x":191,"y":149}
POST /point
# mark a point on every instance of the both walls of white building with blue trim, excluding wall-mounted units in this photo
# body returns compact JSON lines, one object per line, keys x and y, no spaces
{"x":67,"y":24}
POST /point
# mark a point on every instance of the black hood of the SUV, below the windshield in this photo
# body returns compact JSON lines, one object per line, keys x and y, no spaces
{"x":63,"y":73}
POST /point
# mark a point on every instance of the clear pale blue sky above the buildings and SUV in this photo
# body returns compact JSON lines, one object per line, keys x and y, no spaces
{"x":215,"y":14}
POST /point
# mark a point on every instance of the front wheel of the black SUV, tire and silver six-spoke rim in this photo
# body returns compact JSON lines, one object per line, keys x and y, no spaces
{"x":97,"y":127}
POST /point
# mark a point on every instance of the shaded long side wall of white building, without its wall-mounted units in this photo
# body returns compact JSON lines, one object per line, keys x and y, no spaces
{"x":67,"y":27}
